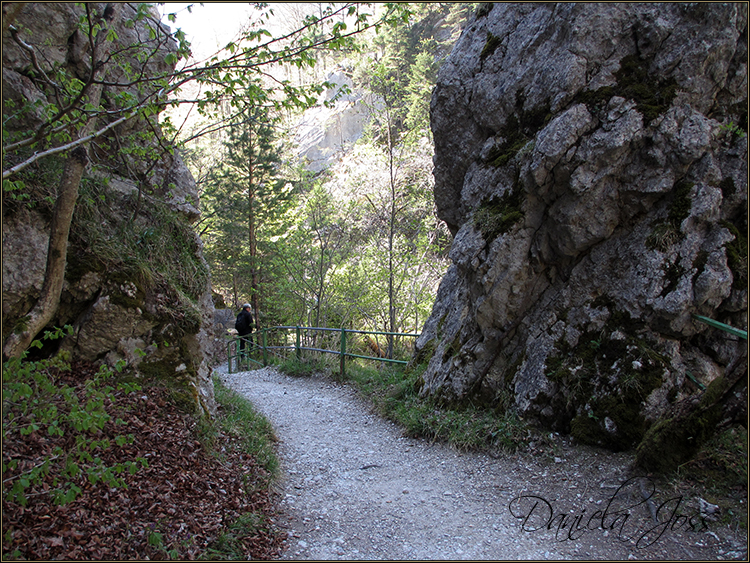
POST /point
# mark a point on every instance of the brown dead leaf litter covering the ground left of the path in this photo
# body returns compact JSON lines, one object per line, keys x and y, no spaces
{"x":179,"y":506}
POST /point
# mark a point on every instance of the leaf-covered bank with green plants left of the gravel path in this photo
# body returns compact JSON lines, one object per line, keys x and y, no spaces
{"x":97,"y":467}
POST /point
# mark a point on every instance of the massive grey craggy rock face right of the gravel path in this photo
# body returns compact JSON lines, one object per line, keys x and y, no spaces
{"x":591,"y":162}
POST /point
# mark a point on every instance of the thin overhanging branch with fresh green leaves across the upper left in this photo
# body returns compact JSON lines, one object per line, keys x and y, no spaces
{"x":133,"y":88}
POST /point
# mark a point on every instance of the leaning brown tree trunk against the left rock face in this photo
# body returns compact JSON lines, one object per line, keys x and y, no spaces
{"x":49,"y":299}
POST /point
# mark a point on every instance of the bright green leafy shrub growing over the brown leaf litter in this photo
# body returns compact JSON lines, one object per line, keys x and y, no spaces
{"x":42,"y":409}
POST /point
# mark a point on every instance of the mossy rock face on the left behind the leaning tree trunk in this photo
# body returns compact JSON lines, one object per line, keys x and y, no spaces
{"x":120,"y":306}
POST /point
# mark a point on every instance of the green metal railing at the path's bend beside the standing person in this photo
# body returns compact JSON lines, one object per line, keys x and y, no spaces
{"x":263,"y":348}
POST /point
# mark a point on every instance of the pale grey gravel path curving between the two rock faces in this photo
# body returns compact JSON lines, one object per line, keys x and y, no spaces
{"x":354,"y":487}
